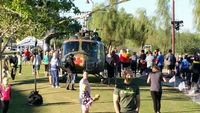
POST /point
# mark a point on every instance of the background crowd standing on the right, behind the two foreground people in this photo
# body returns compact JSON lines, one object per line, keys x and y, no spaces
{"x":184,"y":66}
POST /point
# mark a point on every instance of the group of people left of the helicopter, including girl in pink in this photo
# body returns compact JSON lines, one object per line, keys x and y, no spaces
{"x":13,"y":63}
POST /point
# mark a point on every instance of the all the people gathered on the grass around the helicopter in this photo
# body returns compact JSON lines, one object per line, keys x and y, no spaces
{"x":125,"y":64}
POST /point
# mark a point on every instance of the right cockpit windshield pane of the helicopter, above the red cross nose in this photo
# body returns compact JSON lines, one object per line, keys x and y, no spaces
{"x":90,"y":48}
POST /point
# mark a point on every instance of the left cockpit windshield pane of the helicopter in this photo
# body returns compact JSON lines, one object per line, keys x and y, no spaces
{"x":71,"y":47}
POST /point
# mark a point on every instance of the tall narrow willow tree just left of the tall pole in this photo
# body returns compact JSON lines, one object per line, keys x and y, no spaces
{"x":164,"y":23}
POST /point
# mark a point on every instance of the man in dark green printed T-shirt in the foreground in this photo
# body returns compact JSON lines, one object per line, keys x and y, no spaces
{"x":126,"y":96}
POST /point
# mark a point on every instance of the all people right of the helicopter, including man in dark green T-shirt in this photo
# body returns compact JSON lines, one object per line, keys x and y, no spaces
{"x":126,"y":96}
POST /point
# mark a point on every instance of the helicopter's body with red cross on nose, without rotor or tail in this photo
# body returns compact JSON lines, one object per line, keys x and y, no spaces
{"x":88,"y":52}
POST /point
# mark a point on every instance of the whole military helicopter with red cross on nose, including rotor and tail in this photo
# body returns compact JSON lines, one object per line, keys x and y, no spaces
{"x":88,"y":53}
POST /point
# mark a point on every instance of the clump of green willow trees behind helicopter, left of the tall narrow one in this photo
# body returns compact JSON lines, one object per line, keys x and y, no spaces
{"x":118,"y":26}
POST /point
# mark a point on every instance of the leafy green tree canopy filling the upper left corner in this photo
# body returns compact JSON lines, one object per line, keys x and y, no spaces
{"x":36,"y":17}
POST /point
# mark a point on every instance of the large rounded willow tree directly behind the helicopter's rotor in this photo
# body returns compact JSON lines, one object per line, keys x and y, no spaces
{"x":114,"y":26}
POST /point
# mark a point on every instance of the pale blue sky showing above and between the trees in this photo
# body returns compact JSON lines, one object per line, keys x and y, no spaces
{"x":183,"y":9}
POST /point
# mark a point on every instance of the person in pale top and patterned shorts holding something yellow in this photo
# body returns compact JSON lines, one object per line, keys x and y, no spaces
{"x":85,"y":99}
